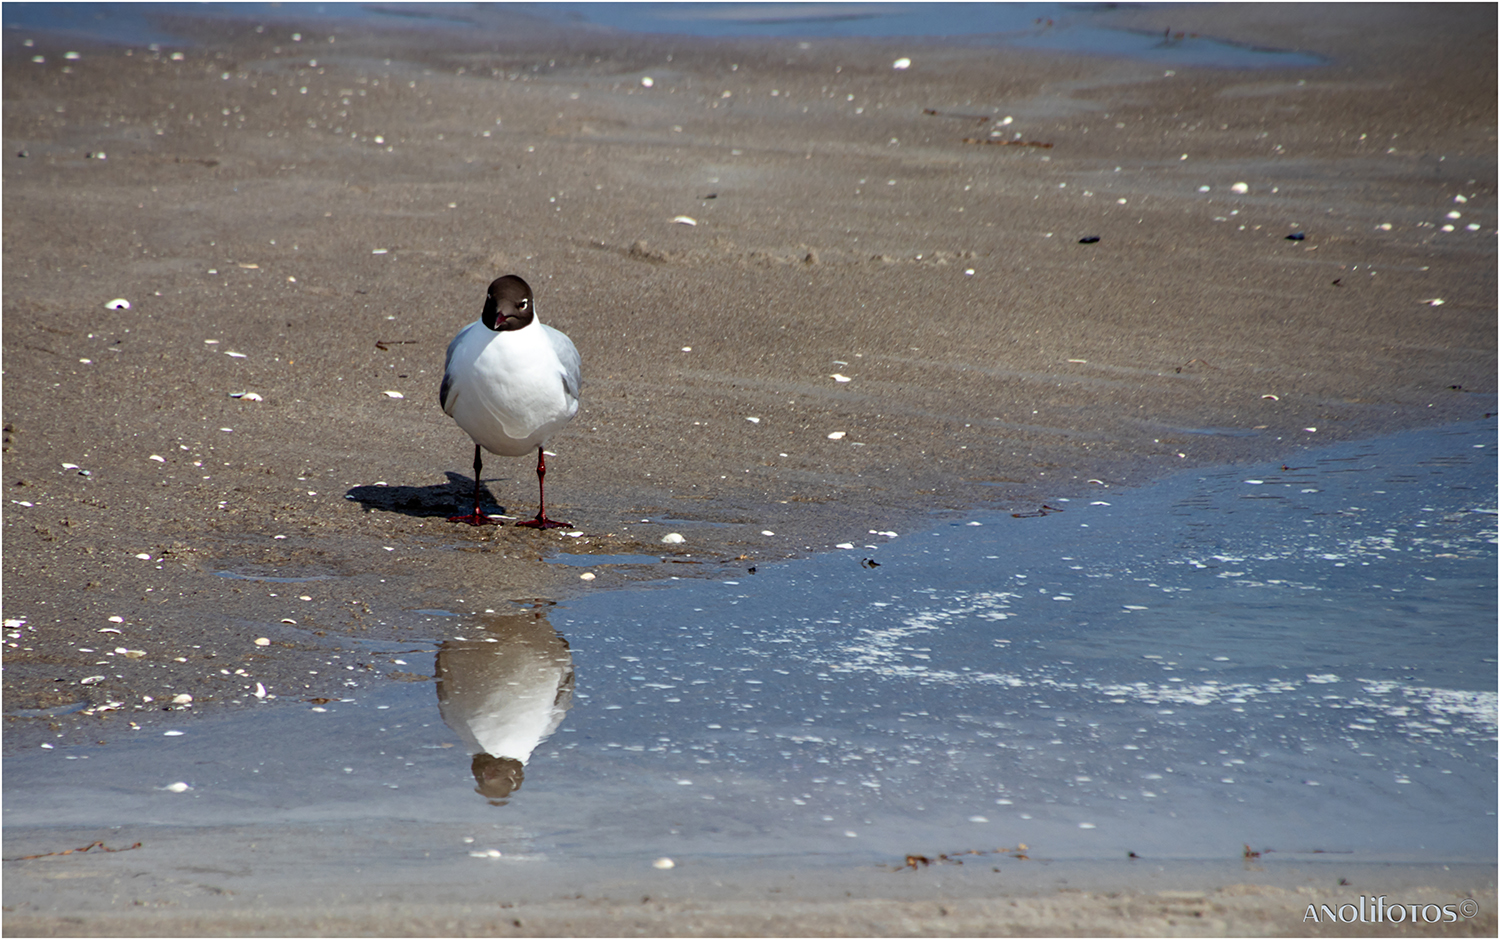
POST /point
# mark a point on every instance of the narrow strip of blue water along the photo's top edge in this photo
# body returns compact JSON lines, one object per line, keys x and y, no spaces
{"x":1054,"y":26}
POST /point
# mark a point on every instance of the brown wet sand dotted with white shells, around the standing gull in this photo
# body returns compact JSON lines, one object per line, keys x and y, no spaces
{"x":332,"y":238}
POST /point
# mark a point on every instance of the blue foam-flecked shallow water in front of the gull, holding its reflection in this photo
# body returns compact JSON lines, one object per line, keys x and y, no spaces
{"x":1297,"y":659}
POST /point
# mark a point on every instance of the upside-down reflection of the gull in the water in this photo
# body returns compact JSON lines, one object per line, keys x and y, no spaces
{"x":505,"y":693}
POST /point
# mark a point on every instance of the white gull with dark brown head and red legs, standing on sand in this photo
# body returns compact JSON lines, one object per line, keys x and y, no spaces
{"x":512,"y":383}
